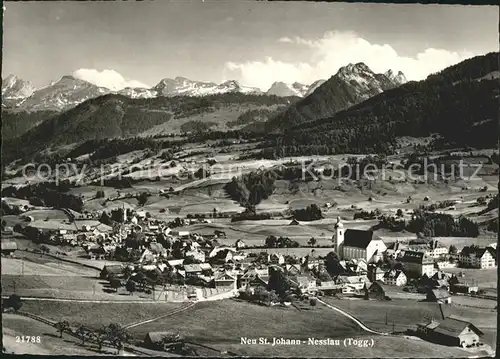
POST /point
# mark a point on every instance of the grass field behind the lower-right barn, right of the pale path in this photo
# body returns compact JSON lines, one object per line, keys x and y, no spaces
{"x":407,"y":314}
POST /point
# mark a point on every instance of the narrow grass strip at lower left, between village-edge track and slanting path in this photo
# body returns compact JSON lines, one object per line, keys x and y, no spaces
{"x":95,"y":315}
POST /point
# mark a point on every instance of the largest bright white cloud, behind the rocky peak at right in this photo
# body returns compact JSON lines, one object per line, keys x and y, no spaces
{"x":334,"y":50}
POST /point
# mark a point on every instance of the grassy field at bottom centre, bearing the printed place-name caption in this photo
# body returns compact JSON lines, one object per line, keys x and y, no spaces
{"x":233,"y":320}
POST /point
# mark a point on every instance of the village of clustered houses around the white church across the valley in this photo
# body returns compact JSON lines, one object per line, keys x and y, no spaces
{"x":168,"y":263}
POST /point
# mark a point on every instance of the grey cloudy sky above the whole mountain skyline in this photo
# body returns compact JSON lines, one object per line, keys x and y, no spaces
{"x":136,"y":44}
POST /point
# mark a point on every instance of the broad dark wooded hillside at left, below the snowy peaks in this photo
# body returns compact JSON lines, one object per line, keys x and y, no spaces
{"x":113,"y":116}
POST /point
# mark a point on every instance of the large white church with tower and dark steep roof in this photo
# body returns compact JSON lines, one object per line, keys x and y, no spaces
{"x":357,"y":244}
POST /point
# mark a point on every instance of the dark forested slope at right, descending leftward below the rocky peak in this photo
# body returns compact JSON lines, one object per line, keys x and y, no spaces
{"x":460,"y":103}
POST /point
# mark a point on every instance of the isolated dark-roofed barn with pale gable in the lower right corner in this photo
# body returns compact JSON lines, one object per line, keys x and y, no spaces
{"x":451,"y":331}
